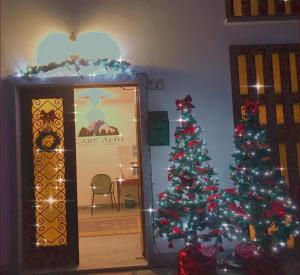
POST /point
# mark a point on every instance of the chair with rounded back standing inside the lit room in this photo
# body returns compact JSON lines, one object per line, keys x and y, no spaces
{"x":102,"y":185}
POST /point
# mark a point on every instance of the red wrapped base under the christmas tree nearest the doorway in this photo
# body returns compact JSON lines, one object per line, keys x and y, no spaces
{"x":197,"y":260}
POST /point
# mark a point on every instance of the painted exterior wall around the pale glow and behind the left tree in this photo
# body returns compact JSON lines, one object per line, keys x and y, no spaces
{"x":184,"y":42}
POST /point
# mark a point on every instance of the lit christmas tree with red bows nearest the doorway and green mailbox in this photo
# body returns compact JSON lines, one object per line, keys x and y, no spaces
{"x":189,"y":208}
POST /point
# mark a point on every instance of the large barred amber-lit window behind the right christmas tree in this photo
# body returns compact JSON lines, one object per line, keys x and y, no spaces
{"x":271,"y":74}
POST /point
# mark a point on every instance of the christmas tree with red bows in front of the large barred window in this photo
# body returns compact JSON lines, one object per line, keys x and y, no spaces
{"x":263,"y":193}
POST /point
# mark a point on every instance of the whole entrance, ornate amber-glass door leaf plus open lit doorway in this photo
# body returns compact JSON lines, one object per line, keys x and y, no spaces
{"x":96,"y":230}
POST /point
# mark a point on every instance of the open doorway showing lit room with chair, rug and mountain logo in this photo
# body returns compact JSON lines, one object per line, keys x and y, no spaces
{"x":108,"y":177}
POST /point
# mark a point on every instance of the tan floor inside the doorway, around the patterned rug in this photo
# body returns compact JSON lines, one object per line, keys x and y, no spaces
{"x":110,"y":251}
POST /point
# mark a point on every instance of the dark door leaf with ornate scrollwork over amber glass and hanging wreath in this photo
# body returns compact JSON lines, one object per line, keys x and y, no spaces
{"x":49,"y":218}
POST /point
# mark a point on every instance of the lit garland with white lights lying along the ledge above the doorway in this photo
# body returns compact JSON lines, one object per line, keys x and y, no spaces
{"x":95,"y":67}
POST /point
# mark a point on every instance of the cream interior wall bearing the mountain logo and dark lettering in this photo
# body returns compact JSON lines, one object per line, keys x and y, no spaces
{"x":105,"y":154}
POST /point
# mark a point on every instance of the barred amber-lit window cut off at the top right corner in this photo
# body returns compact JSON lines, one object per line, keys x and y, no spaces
{"x":252,"y":10}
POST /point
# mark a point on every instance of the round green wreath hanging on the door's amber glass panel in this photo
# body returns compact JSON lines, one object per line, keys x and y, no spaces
{"x":47,"y":140}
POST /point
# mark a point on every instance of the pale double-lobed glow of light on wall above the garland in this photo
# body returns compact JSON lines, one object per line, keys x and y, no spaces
{"x":58,"y":47}
